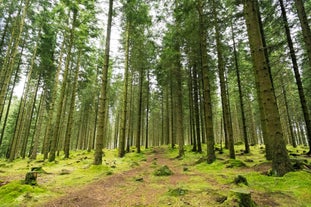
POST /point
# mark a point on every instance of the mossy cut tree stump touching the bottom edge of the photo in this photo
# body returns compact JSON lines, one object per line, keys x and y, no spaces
{"x":240,"y":197}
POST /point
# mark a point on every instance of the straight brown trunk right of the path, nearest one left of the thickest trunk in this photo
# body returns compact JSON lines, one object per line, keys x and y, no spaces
{"x":209,"y":130}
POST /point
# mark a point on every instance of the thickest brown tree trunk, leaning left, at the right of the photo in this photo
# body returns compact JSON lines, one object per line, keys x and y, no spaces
{"x":280,"y":160}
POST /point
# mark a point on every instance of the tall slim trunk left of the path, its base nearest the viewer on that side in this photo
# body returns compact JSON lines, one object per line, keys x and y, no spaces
{"x":103,"y":95}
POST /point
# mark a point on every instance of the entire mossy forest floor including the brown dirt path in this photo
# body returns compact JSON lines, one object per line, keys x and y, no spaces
{"x":131,"y":181}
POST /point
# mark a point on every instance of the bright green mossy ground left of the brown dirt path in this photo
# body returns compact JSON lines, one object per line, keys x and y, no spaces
{"x":59,"y":176}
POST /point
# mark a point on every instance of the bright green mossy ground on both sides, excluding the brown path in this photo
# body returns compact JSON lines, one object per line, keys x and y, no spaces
{"x":192,"y":183}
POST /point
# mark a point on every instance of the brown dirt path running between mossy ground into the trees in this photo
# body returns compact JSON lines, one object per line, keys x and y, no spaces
{"x":127,"y":188}
